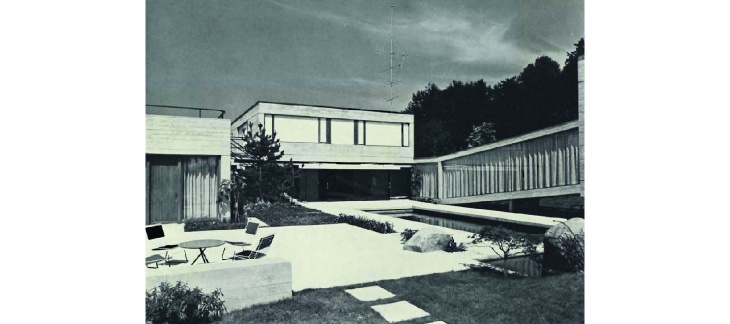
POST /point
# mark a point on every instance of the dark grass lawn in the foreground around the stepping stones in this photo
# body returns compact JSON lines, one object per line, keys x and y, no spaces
{"x":472,"y":296}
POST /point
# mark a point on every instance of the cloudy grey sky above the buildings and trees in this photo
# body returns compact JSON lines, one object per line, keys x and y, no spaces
{"x":229,"y":54}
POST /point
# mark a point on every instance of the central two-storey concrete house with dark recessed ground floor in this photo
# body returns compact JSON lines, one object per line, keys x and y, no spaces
{"x":343,"y":153}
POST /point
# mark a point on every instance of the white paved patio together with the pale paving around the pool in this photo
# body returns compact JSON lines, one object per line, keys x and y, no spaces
{"x":324,"y":256}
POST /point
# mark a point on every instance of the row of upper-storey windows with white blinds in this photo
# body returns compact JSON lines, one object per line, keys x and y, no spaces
{"x":336,"y":131}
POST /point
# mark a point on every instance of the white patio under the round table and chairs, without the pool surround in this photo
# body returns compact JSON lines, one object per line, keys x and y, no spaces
{"x":324,"y":256}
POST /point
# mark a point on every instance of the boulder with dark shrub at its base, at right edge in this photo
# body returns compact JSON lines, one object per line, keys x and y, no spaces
{"x":560,"y":258}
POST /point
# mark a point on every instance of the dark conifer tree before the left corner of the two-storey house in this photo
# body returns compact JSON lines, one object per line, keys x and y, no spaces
{"x":264,"y":177}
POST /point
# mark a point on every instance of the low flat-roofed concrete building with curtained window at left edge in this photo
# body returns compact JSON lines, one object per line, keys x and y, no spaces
{"x":186,"y":158}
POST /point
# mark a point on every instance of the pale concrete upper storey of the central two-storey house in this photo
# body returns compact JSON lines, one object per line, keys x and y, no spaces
{"x":318,"y":134}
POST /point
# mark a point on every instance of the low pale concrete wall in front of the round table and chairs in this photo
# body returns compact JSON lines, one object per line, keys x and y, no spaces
{"x":243,"y":283}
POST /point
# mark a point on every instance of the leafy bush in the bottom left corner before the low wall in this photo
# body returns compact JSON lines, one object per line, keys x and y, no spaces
{"x":180,"y":304}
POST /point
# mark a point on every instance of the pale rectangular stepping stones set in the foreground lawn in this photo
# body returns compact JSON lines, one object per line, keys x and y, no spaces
{"x":391,"y":312}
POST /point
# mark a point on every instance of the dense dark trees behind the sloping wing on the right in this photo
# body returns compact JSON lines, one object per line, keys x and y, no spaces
{"x":466,"y":114}
